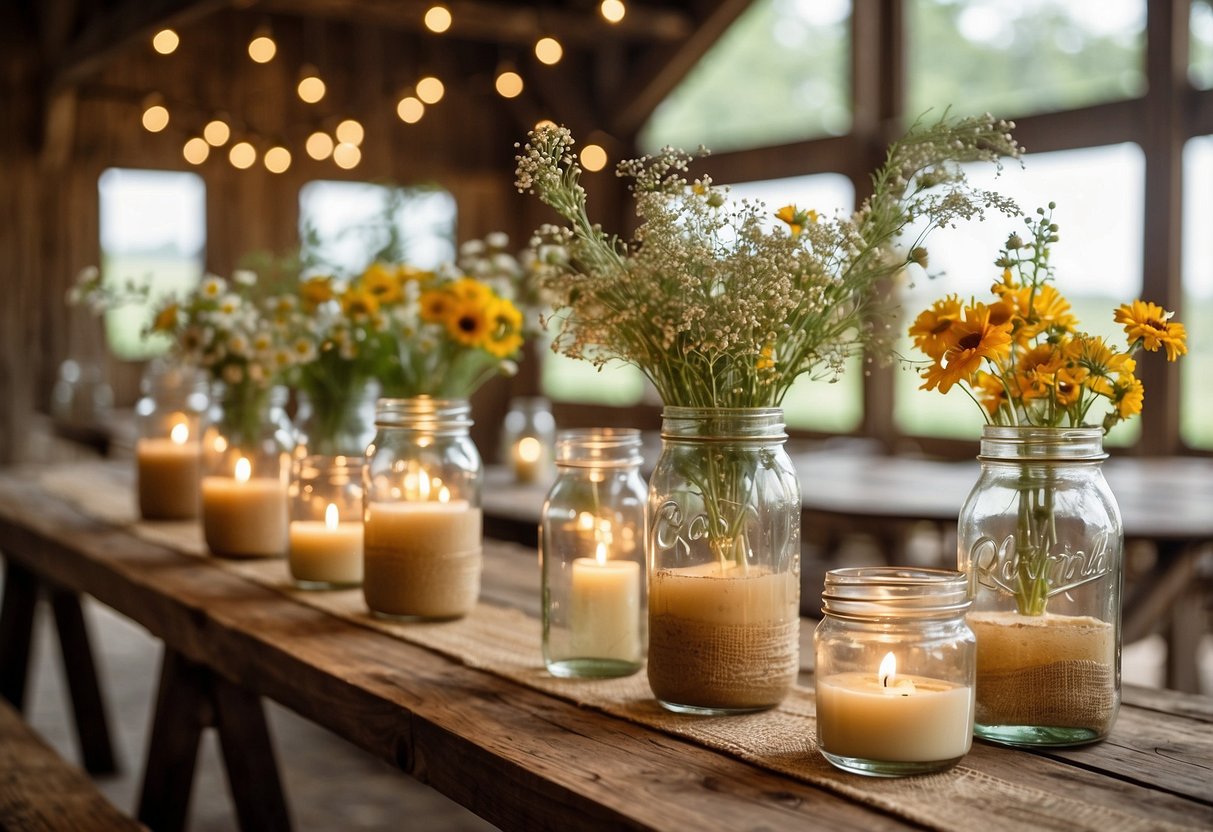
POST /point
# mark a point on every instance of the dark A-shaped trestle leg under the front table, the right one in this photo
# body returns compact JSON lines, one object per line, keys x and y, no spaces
{"x":192,"y":698}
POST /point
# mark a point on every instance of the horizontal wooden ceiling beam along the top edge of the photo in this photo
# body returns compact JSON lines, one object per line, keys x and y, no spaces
{"x":510,"y":24}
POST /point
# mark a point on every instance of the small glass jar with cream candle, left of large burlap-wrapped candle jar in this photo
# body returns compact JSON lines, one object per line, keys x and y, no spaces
{"x":326,"y":534}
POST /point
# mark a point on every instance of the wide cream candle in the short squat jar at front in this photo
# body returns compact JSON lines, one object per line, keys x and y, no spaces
{"x":895,"y":720}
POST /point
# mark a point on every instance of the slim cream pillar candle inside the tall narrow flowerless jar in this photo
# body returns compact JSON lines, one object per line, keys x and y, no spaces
{"x":605,"y":608}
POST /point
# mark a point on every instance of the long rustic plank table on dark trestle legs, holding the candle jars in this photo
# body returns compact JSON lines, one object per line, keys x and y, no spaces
{"x":519,"y":756}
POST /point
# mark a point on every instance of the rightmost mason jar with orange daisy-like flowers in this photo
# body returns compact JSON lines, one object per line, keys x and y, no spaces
{"x":1040,"y":535}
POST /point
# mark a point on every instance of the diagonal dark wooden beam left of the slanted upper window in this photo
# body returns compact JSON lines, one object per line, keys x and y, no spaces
{"x":667,"y":66}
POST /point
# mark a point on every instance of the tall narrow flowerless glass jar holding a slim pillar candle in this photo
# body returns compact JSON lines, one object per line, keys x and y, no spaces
{"x":593,"y":556}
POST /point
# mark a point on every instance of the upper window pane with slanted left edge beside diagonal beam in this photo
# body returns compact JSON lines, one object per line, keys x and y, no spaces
{"x":779,"y":75}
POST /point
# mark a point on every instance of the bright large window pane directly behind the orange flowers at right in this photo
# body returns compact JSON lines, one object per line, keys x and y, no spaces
{"x":1098,"y":265}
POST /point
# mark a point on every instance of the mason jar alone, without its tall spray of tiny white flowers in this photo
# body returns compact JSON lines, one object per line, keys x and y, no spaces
{"x":725,"y":562}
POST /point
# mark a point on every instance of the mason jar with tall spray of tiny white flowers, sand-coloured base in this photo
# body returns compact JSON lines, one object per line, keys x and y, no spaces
{"x":722,"y":311}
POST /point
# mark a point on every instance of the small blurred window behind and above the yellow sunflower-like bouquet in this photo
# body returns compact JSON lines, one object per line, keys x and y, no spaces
{"x":346,"y":226}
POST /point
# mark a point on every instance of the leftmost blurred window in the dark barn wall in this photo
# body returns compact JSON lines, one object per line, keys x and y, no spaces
{"x":153,"y":232}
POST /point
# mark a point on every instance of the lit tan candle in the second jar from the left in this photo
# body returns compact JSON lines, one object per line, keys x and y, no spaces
{"x":246,"y":516}
